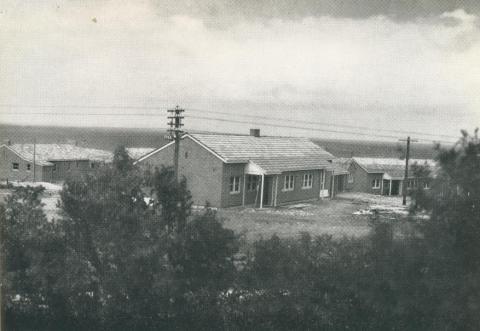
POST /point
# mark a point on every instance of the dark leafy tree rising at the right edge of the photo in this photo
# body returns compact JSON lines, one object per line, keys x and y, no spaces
{"x":454,"y":201}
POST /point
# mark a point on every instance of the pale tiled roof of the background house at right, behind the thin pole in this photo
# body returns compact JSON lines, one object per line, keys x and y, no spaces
{"x":395,"y":168}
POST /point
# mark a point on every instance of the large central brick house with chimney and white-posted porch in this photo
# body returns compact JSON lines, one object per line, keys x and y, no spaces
{"x":235,"y":170}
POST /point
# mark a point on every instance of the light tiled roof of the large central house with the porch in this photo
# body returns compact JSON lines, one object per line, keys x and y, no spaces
{"x":272,"y":154}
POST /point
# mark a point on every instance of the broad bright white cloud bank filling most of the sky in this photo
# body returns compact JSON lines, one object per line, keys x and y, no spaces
{"x":133,"y":55}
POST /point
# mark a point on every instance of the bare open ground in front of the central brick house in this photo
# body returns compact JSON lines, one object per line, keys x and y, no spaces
{"x":348,"y":215}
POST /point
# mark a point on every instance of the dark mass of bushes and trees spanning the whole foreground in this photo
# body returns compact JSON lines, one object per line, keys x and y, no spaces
{"x":117,"y":261}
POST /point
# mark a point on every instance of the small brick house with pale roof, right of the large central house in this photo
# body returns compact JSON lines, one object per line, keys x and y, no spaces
{"x":384,"y":175}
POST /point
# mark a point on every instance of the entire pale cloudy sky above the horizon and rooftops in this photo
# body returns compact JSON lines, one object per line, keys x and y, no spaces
{"x":333,"y":69}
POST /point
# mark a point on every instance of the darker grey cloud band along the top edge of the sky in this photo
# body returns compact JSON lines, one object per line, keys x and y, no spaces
{"x":226,"y":11}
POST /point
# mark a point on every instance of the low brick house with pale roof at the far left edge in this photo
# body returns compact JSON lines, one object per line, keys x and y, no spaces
{"x":53,"y":162}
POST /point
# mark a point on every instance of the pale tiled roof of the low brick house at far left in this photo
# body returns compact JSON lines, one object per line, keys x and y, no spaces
{"x":59,"y":152}
